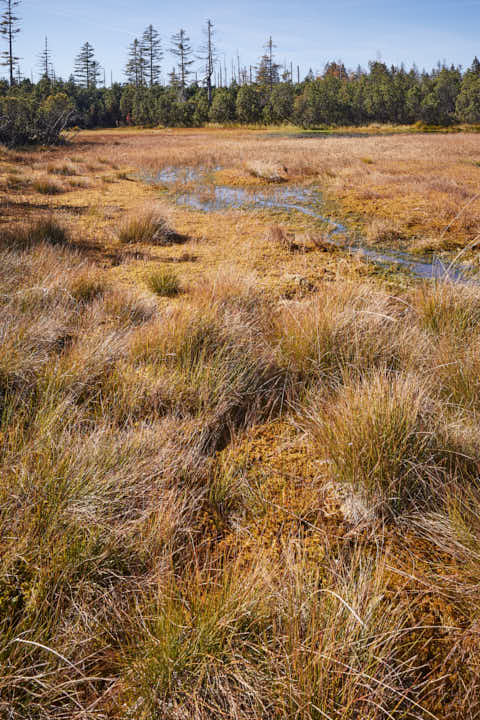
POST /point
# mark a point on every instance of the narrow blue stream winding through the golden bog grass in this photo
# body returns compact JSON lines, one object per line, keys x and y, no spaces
{"x":196,"y":189}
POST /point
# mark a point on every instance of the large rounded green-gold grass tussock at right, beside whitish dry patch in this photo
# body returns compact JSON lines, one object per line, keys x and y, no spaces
{"x":387,"y":442}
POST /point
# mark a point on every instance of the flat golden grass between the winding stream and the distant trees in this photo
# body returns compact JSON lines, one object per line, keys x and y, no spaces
{"x":419,"y":184}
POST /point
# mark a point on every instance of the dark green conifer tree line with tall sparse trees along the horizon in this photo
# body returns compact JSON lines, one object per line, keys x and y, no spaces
{"x":268,"y":93}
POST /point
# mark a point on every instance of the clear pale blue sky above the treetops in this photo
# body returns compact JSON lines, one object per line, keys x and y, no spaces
{"x":308,"y":32}
